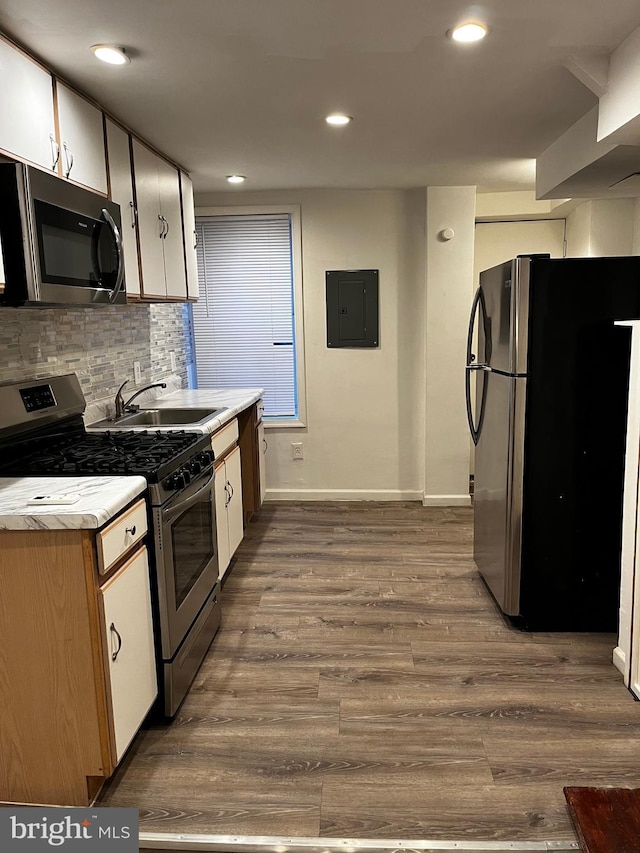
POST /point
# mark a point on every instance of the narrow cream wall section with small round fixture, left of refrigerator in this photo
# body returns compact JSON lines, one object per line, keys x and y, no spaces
{"x":449,"y":279}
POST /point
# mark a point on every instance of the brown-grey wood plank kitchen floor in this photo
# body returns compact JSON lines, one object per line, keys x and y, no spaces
{"x":364,"y":684}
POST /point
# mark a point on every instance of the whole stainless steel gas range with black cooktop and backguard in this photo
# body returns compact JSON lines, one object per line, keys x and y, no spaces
{"x":42,"y":433}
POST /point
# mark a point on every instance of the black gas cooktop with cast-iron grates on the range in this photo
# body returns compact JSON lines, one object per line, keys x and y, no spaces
{"x":149,"y":454}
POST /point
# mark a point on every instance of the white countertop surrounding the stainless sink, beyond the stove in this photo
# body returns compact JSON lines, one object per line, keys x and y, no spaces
{"x":234,"y":400}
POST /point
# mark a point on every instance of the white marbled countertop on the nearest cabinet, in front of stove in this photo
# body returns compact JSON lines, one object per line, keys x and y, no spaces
{"x":101,"y":498}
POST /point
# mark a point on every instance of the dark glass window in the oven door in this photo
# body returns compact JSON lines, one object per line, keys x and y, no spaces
{"x":192,"y":537}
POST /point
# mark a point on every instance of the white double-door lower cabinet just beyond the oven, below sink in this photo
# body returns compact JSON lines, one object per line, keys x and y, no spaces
{"x":229,"y":515}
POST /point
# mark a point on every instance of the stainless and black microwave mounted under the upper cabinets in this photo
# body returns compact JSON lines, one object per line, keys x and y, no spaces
{"x":61,"y":244}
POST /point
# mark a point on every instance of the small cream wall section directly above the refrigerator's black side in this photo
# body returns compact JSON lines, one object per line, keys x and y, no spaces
{"x":603,"y":227}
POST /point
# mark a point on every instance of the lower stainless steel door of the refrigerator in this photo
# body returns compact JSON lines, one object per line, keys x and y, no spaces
{"x":498,"y":488}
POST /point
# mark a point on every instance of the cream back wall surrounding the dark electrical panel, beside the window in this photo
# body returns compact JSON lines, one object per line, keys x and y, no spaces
{"x":364,"y":437}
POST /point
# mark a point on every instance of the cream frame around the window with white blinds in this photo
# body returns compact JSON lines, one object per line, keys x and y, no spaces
{"x":298,"y":304}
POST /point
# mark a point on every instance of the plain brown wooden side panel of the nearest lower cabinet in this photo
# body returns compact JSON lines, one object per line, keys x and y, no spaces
{"x":49,"y":728}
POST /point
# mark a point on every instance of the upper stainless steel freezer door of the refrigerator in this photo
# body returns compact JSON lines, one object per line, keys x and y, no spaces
{"x":502,"y":338}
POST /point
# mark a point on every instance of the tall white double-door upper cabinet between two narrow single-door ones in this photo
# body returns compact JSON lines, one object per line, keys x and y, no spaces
{"x":159,"y":225}
